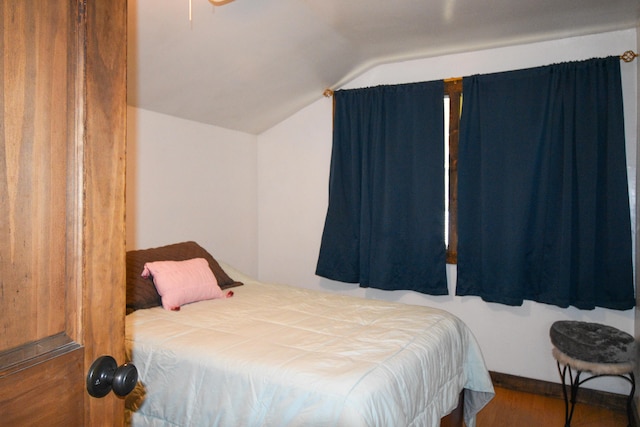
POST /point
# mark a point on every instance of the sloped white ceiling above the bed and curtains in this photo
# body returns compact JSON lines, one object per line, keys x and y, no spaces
{"x":250,"y":64}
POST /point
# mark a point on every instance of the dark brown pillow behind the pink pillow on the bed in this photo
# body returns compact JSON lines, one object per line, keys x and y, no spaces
{"x":142,"y":293}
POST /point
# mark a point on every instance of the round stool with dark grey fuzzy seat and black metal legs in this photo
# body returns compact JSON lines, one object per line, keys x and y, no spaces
{"x":596,"y":349}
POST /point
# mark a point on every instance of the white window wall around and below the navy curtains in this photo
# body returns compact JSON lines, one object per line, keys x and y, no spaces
{"x":293,"y":171}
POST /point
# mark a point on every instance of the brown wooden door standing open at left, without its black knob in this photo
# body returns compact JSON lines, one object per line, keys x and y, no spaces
{"x":62,"y":249}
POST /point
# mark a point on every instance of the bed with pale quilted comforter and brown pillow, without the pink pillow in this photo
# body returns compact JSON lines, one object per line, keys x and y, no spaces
{"x":274,"y":355}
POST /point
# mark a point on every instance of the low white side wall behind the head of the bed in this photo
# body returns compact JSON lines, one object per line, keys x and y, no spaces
{"x":191,"y":181}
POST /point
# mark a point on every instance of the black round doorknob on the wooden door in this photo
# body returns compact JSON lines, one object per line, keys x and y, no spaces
{"x":105,"y":375}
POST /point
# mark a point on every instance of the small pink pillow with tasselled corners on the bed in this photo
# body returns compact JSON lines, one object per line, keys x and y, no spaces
{"x":182,"y":282}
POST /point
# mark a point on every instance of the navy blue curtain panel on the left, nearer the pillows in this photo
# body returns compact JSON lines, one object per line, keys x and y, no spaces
{"x":385,"y":220}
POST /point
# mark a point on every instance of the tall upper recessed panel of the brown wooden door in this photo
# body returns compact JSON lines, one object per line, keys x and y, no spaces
{"x":33,"y":186}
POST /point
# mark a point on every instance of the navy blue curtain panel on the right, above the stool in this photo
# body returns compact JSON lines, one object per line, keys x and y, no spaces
{"x":543,"y":203}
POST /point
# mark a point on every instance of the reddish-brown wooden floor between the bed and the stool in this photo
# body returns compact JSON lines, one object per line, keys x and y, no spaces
{"x":512,"y":408}
